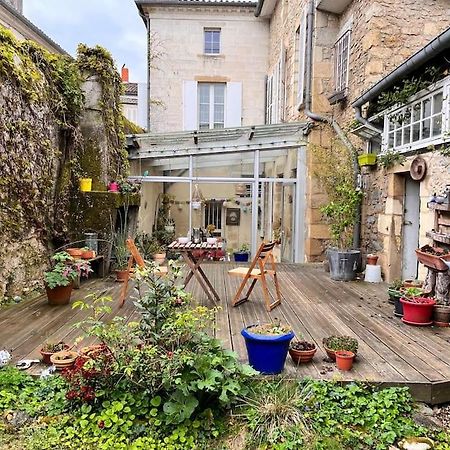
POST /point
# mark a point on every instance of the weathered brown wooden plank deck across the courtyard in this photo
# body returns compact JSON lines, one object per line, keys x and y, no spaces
{"x":390,"y":352}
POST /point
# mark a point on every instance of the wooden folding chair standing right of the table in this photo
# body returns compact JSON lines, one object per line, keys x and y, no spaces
{"x":257,"y":271}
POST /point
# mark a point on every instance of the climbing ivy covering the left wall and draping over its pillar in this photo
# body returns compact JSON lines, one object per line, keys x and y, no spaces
{"x":41,"y":103}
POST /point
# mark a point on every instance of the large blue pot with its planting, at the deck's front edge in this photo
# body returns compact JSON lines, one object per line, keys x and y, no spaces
{"x":267,"y":346}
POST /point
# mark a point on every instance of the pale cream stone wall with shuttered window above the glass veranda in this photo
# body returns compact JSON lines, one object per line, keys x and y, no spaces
{"x":177,"y":34}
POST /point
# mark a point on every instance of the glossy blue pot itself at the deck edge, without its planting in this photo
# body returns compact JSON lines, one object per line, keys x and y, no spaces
{"x":267,"y":353}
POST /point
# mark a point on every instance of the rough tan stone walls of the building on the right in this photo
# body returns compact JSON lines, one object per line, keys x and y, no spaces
{"x":381,"y":36}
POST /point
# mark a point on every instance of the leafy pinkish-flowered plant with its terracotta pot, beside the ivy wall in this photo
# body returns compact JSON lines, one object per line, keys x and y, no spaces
{"x":59,"y":279}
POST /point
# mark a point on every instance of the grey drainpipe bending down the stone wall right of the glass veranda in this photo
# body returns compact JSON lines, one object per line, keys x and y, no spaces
{"x":319,"y":118}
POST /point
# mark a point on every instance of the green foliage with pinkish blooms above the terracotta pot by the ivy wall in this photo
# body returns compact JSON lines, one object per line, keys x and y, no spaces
{"x":65,"y":269}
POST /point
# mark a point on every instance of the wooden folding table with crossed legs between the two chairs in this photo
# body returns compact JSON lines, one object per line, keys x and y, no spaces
{"x":194,"y":255}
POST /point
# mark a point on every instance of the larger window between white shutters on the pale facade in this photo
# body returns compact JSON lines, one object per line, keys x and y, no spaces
{"x":211,"y":105}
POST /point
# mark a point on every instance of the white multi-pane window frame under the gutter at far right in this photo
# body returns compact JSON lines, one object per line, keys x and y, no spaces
{"x":394,"y":129}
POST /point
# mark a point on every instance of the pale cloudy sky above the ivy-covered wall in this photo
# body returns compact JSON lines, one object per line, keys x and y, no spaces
{"x":113,"y":24}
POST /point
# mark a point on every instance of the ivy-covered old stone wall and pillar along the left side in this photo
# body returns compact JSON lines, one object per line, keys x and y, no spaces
{"x":43,"y":151}
